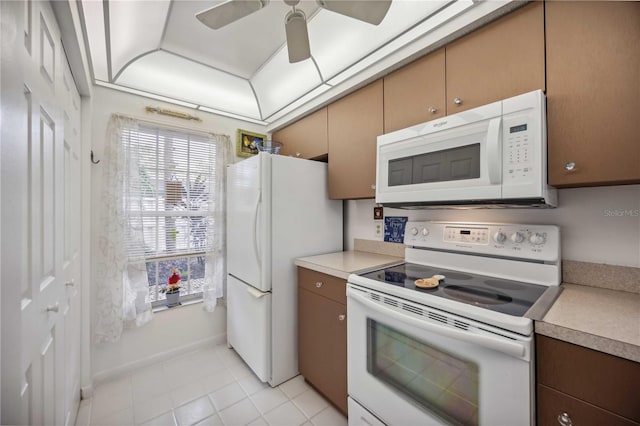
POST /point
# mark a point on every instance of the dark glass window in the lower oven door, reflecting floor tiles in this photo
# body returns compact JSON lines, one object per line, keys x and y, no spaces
{"x":434,"y":379}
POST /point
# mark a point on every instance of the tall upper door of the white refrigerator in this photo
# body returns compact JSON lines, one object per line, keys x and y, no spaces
{"x":247,"y":217}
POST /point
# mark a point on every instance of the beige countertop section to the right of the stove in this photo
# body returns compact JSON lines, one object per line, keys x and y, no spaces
{"x":597,"y":318}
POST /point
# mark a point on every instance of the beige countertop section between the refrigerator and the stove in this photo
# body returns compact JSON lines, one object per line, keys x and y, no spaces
{"x":344,"y":263}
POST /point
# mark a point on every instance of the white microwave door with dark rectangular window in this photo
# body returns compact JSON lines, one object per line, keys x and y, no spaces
{"x":450,"y":159}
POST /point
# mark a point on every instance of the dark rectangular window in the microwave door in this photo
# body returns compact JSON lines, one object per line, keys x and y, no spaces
{"x":458,"y":163}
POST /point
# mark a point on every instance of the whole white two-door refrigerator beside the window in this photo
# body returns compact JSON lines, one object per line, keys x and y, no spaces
{"x":277,"y":209}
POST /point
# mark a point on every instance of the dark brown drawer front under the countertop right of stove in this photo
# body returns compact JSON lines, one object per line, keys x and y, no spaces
{"x":607,"y":381}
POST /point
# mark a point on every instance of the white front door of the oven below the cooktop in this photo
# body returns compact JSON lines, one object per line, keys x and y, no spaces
{"x":410,"y":364}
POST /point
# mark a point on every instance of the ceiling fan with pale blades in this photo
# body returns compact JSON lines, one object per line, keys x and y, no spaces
{"x":295,"y":22}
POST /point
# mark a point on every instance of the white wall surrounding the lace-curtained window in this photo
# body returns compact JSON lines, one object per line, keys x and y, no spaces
{"x":179,"y":328}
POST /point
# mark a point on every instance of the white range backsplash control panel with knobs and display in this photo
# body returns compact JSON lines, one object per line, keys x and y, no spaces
{"x":534,"y":242}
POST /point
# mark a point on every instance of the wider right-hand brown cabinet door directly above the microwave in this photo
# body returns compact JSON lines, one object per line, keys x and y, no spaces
{"x":500,"y":60}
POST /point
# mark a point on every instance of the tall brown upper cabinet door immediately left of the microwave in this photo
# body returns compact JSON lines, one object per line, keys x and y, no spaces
{"x":355,"y":122}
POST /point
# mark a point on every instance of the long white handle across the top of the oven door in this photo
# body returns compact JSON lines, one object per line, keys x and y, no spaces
{"x":494,"y":343}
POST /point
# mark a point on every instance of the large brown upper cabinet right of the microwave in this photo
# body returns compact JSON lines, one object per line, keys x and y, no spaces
{"x":593,"y":92}
